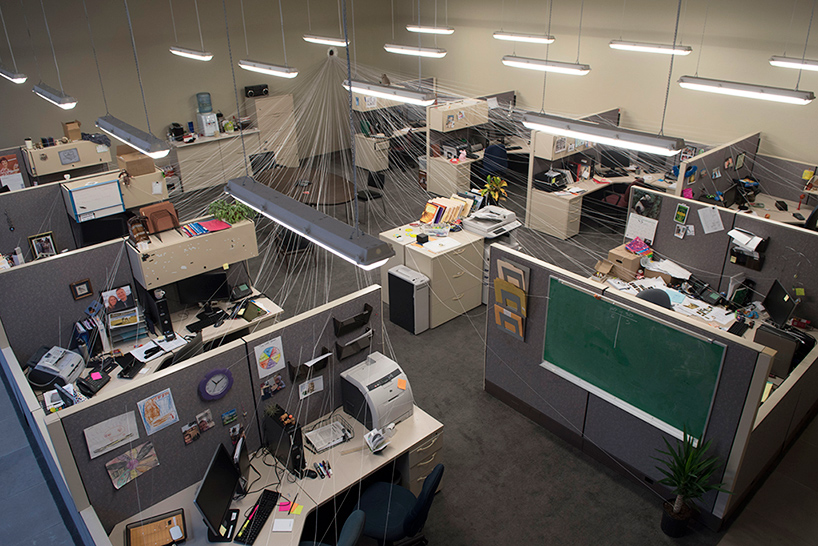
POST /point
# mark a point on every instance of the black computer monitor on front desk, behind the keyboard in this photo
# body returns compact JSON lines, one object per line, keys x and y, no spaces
{"x":215,"y":493}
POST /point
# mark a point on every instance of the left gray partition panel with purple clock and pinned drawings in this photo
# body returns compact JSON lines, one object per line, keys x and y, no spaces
{"x":180,"y":465}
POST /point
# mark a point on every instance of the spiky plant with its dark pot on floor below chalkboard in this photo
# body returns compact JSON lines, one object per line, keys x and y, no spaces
{"x":687,"y":470}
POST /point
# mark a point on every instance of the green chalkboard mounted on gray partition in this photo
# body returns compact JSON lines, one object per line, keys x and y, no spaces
{"x":659,"y":373}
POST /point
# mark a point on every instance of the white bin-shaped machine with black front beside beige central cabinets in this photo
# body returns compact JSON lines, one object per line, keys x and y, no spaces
{"x":409,"y":299}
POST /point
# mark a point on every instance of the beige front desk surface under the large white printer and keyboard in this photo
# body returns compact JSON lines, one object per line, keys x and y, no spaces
{"x":419,"y":434}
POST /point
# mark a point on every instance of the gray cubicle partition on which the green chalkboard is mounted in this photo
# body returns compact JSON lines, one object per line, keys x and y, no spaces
{"x":614,"y":436}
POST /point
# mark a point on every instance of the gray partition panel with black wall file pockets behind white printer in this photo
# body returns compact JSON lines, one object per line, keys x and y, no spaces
{"x":303,"y":338}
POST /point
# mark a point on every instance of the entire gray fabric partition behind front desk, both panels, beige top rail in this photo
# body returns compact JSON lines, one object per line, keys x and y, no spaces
{"x":181,"y":465}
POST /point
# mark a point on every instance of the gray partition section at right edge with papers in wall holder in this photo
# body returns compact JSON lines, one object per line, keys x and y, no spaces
{"x":791,"y":257}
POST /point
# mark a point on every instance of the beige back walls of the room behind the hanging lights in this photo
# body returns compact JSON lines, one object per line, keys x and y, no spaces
{"x":740,"y":37}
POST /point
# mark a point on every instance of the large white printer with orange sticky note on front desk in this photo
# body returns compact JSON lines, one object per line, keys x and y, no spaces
{"x":376,"y":392}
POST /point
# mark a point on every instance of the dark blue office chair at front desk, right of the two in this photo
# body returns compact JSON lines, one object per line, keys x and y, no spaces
{"x":393,"y":513}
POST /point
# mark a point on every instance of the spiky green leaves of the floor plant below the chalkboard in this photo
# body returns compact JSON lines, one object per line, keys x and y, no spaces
{"x":688,"y":470}
